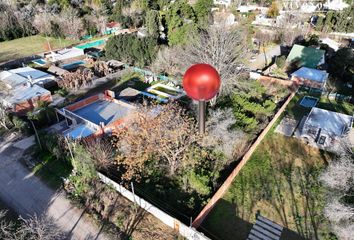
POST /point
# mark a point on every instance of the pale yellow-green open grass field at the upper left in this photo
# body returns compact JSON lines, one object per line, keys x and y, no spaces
{"x":27,"y":46}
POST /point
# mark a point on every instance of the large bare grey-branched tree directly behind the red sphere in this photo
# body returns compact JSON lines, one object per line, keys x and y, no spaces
{"x":216,"y":46}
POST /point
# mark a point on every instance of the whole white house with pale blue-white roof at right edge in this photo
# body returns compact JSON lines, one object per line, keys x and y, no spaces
{"x":324,"y":129}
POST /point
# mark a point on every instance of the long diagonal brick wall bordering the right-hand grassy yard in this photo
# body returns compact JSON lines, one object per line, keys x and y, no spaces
{"x":222,"y":190}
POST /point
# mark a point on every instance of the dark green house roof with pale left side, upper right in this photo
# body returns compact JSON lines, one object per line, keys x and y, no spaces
{"x":305,"y":56}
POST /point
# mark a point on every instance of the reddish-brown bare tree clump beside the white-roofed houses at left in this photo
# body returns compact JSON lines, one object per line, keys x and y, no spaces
{"x":76,"y":80}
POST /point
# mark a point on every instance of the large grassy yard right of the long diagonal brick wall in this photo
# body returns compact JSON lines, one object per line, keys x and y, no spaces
{"x":281,"y":181}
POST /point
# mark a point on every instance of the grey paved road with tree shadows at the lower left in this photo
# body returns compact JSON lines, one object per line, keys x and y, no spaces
{"x":27,"y":195}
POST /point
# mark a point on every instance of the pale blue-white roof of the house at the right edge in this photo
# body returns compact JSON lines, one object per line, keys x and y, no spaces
{"x":328,"y":121}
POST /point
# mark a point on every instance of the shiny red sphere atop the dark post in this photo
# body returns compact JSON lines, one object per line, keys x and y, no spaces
{"x":201,"y":82}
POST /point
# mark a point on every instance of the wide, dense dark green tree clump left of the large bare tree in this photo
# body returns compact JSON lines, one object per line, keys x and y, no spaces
{"x":132,"y":49}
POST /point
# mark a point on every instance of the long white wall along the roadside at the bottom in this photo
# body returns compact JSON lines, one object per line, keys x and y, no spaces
{"x":187,"y":232}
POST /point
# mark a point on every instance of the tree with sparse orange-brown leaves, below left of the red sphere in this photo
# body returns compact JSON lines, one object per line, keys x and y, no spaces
{"x":155,"y":136}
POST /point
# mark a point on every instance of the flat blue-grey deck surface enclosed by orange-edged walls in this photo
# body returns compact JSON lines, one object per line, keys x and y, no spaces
{"x":103,"y":111}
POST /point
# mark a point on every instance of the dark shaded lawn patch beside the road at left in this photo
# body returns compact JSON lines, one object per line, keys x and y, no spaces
{"x":52,"y":170}
